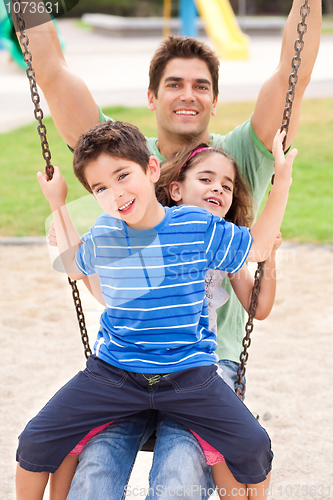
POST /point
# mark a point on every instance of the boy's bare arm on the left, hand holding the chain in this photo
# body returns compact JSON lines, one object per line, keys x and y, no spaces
{"x":68,"y":240}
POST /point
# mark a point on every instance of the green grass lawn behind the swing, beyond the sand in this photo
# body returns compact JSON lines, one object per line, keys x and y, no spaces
{"x":23,"y":209}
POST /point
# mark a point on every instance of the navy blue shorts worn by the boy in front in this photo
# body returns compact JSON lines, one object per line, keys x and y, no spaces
{"x":197,"y":398}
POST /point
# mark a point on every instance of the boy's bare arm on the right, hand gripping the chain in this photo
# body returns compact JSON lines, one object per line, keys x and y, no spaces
{"x":268,"y":224}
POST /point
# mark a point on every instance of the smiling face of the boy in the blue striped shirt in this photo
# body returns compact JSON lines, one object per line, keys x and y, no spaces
{"x":124,"y":190}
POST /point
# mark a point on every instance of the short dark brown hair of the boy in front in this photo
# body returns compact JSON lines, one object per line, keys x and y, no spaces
{"x":117,"y":139}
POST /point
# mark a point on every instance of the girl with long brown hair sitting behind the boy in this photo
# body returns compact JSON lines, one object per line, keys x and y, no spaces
{"x":209,"y":178}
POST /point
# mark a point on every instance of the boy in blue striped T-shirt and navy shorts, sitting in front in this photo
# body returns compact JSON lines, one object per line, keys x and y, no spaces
{"x":154,"y":349}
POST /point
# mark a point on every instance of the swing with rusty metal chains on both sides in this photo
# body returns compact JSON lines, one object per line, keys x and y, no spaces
{"x":295,"y":64}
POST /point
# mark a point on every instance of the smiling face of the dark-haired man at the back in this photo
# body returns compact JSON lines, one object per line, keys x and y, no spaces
{"x":184,"y":102}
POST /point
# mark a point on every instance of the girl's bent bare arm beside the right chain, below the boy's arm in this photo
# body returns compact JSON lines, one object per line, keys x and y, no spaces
{"x":242,"y":283}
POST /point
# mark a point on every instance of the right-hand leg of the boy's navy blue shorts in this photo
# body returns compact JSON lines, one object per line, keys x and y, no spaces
{"x":228,"y":426}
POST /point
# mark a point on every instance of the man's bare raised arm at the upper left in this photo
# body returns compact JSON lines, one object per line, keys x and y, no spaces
{"x":72,"y":106}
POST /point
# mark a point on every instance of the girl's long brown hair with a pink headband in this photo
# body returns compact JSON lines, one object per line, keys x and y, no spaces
{"x":241,"y":211}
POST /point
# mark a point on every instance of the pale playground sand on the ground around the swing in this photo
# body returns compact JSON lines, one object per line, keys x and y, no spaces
{"x":289,"y":372}
